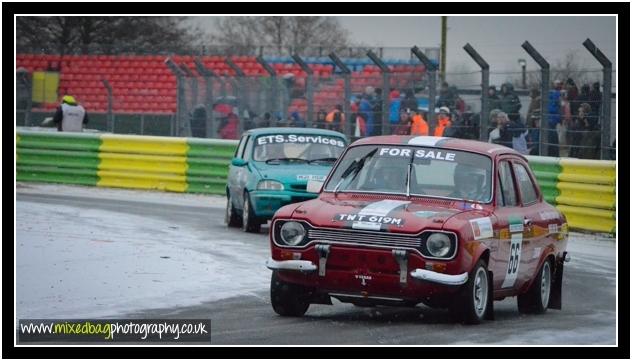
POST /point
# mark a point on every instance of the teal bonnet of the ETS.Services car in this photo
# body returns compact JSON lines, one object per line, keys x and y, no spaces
{"x":293,"y":173}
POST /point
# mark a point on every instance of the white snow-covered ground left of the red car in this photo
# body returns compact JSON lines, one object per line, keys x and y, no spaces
{"x":77,"y":262}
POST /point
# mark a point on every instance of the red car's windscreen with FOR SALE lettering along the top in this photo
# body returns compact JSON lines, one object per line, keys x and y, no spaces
{"x":409,"y":170}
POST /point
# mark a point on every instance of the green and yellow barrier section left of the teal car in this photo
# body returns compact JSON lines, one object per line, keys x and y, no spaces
{"x":126,"y":161}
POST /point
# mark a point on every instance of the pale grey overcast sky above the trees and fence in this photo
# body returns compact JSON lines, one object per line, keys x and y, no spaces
{"x":497,"y":39}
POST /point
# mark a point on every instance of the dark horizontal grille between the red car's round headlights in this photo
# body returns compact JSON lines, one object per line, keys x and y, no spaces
{"x":362,"y":237}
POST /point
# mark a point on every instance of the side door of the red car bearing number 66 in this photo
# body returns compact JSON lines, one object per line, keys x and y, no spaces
{"x":509,"y":223}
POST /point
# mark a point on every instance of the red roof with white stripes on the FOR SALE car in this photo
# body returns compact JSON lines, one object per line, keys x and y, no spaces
{"x":490,"y":149}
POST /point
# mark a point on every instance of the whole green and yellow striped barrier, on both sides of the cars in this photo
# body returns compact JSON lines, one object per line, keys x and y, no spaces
{"x":584,"y":190}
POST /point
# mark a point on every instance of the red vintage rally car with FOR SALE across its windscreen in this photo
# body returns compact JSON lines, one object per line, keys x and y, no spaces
{"x":402,"y":220}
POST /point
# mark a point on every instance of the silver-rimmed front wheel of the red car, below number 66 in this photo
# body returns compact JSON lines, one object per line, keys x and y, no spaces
{"x":472,"y":304}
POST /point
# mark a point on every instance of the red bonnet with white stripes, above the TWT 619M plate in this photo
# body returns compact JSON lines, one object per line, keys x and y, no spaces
{"x":397,"y":215}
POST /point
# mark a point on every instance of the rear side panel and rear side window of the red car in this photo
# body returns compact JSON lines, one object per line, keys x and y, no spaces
{"x":536,"y":226}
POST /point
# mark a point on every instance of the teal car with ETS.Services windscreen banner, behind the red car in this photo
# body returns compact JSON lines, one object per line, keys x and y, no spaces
{"x":271,"y":168}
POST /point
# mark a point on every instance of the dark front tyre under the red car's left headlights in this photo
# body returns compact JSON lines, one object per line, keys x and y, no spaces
{"x":288,"y":299}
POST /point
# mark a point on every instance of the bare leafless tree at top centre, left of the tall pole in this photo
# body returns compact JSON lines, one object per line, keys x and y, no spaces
{"x":302,"y":34}
